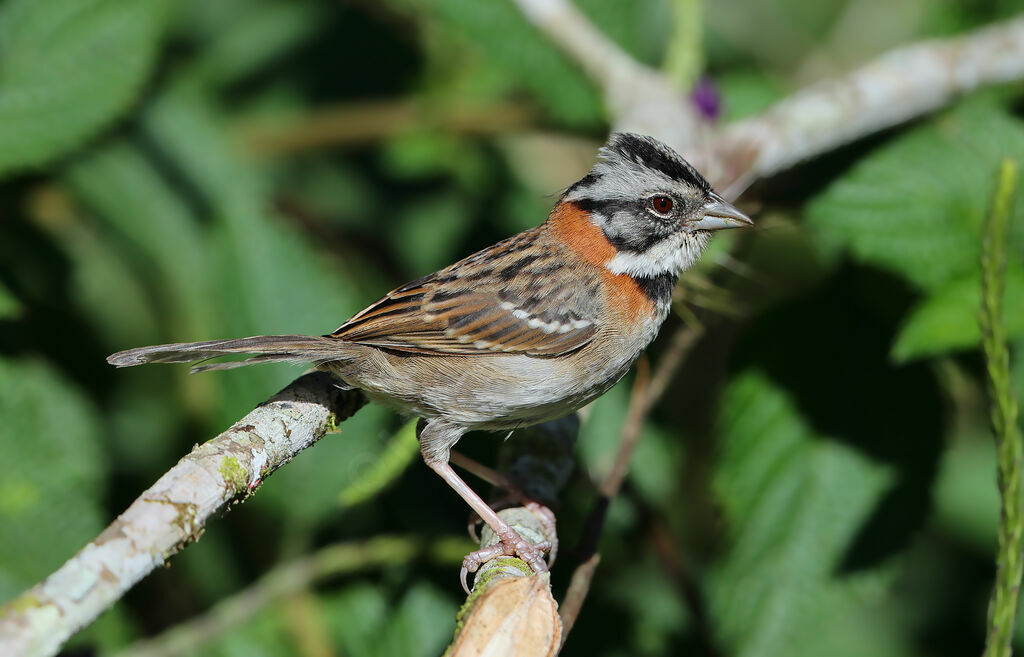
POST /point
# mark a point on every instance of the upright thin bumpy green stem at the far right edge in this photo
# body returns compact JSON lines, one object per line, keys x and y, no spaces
{"x":1003,"y":607}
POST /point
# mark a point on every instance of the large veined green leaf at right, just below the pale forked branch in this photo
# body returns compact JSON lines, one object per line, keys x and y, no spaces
{"x":916,"y":206}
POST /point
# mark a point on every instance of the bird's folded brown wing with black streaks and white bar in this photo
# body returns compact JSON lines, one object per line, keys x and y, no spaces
{"x":503,"y":300}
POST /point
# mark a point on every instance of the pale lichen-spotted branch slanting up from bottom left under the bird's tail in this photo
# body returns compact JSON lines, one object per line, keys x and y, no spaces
{"x":173,"y":514}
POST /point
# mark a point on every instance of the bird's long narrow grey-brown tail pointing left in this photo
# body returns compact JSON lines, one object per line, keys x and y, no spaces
{"x":263,"y":349}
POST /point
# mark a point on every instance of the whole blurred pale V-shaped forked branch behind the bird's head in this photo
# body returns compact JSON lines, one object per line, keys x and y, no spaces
{"x":899,"y":86}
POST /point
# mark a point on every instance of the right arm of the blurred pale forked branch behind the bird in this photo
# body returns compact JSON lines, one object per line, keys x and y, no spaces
{"x":897,"y":87}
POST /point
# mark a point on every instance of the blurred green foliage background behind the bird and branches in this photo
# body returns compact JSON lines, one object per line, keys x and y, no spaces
{"x":820,"y":478}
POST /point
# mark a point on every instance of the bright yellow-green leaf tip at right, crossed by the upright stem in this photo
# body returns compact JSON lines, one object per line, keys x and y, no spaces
{"x":948,"y":320}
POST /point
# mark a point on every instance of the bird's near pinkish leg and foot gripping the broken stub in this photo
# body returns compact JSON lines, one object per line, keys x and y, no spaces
{"x":437,"y":439}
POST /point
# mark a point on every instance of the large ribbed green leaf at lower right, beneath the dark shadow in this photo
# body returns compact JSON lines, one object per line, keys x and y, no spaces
{"x":793,"y":503}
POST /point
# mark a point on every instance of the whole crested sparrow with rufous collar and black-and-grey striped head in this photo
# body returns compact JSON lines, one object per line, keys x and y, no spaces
{"x":526,"y":331}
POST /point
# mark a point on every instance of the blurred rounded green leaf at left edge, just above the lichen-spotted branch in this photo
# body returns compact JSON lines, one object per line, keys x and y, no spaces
{"x":54,"y":473}
